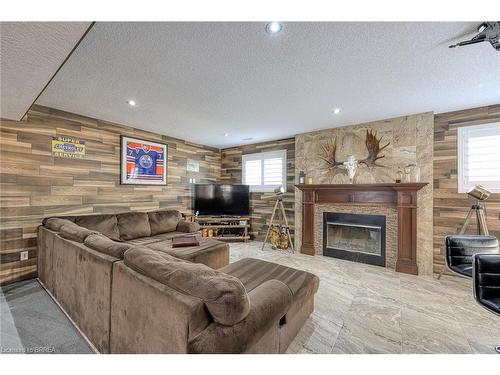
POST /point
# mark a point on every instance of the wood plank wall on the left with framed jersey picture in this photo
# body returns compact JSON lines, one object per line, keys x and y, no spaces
{"x":35,"y":185}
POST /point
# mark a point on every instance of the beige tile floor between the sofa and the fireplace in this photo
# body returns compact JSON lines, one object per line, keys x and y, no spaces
{"x":368,"y":309}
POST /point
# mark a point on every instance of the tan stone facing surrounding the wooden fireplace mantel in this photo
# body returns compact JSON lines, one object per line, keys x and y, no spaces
{"x":411,"y":140}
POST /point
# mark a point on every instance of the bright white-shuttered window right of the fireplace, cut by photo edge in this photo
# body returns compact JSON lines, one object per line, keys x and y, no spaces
{"x":479,"y":157}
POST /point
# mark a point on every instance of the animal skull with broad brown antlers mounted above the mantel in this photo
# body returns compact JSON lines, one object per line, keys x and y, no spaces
{"x":372,"y":145}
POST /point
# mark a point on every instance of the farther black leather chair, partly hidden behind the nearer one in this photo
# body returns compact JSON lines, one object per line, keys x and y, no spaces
{"x":461,"y":248}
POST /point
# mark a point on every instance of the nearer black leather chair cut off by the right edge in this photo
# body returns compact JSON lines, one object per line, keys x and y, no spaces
{"x":486,"y":278}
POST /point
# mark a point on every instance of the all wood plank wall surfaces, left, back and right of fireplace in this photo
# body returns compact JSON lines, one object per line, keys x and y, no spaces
{"x":35,"y":185}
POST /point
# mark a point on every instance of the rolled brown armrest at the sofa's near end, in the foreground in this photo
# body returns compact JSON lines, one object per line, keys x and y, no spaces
{"x":269,"y":302}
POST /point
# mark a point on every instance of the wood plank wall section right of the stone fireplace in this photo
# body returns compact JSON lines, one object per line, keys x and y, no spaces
{"x":450,"y":207}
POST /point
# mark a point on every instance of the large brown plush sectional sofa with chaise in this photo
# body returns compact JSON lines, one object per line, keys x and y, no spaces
{"x":130,"y":292}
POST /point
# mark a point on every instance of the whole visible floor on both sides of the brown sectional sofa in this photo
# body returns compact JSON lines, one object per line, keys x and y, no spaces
{"x":359,"y":309}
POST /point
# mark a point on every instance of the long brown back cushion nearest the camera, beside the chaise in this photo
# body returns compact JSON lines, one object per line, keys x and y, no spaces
{"x":224,"y":296}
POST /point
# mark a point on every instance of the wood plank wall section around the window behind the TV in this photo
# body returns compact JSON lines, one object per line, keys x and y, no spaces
{"x":260,"y":208}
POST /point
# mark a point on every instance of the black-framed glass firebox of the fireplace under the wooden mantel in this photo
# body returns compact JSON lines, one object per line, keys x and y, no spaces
{"x":355,"y":237}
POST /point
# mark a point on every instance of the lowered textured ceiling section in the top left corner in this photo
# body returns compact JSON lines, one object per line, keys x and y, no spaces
{"x":30,"y":54}
